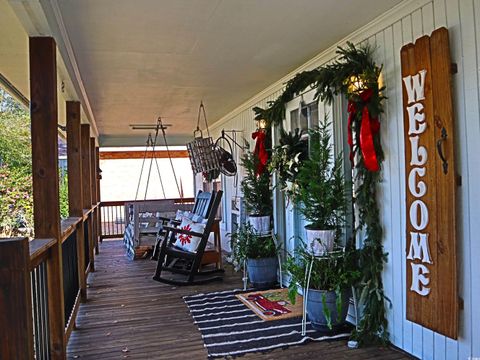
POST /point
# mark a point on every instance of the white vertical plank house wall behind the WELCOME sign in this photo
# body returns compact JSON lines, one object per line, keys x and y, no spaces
{"x":403,"y":24}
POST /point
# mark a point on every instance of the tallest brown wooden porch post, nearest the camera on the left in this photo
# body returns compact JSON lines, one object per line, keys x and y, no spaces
{"x":44,"y":119}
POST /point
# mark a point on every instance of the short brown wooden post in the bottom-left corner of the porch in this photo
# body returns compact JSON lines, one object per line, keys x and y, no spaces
{"x":16,"y":323}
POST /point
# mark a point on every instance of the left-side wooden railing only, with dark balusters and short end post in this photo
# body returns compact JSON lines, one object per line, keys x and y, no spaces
{"x":30,"y":326}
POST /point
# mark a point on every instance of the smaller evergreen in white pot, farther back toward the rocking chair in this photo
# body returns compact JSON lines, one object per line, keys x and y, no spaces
{"x":256,"y":194}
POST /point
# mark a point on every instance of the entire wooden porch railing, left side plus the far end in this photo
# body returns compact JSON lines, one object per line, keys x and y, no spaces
{"x":33,"y":310}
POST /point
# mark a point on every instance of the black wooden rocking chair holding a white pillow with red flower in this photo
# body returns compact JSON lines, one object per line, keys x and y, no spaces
{"x":178,"y":261}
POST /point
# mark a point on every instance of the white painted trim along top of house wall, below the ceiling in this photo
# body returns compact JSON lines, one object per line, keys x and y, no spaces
{"x":386,"y":19}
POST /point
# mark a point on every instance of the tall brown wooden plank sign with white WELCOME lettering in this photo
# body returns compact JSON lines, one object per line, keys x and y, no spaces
{"x":431,"y":261}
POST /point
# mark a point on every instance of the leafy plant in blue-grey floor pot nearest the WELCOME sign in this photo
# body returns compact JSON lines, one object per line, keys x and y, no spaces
{"x":331,"y":279}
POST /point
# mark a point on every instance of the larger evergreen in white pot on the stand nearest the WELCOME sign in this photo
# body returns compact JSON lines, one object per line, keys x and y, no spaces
{"x":320,"y":191}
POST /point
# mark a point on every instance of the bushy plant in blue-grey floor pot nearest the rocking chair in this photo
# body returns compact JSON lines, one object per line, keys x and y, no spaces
{"x":258,"y":252}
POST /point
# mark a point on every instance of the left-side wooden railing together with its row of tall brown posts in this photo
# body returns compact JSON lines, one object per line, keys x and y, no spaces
{"x":43,"y":281}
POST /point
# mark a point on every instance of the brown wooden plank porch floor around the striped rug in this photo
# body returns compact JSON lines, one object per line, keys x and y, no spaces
{"x":130,"y":316}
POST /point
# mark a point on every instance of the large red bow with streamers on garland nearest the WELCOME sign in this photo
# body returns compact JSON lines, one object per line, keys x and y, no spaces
{"x":369,"y":127}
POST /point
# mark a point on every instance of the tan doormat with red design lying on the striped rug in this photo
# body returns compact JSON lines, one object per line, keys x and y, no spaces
{"x":272,"y":304}
